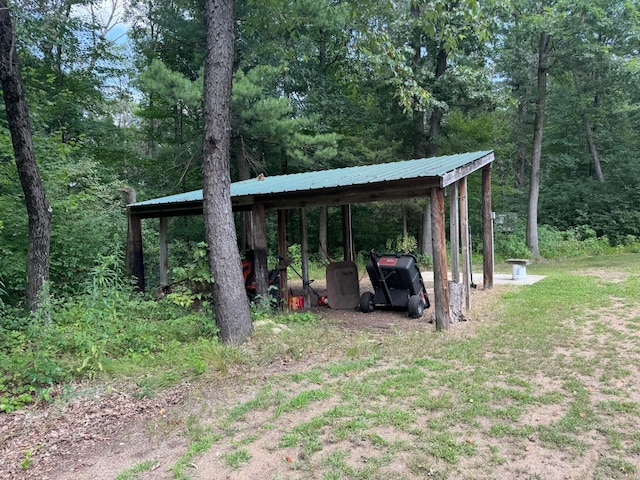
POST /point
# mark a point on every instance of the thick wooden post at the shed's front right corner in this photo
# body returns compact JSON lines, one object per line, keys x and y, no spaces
{"x":440,"y":277}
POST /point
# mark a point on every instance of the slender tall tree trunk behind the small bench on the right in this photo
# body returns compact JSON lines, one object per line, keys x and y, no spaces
{"x":541,"y":104}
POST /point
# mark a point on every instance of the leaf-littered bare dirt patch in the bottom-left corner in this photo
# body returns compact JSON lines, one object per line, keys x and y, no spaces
{"x":63,"y":440}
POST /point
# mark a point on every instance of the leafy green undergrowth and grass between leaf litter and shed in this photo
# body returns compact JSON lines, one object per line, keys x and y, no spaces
{"x":109,"y":331}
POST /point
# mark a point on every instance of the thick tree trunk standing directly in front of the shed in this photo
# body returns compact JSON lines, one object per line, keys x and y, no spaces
{"x":233,"y":317}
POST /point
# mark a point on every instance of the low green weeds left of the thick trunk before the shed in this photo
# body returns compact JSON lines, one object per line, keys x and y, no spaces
{"x":88,"y":335}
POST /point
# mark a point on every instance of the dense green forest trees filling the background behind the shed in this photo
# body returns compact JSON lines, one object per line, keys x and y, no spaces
{"x":116,"y":99}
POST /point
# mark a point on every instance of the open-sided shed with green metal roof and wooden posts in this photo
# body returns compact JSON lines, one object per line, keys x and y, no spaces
{"x":419,"y":178}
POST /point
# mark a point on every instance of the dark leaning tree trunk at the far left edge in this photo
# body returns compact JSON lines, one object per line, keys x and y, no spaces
{"x":38,"y":209}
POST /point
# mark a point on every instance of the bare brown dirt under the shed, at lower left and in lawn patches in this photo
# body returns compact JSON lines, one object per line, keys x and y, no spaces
{"x":93,"y":433}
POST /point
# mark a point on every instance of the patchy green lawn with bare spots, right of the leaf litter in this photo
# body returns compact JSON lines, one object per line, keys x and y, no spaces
{"x":542,"y":382}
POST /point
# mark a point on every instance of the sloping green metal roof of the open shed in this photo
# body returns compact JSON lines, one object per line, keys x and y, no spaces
{"x":363,"y":183}
